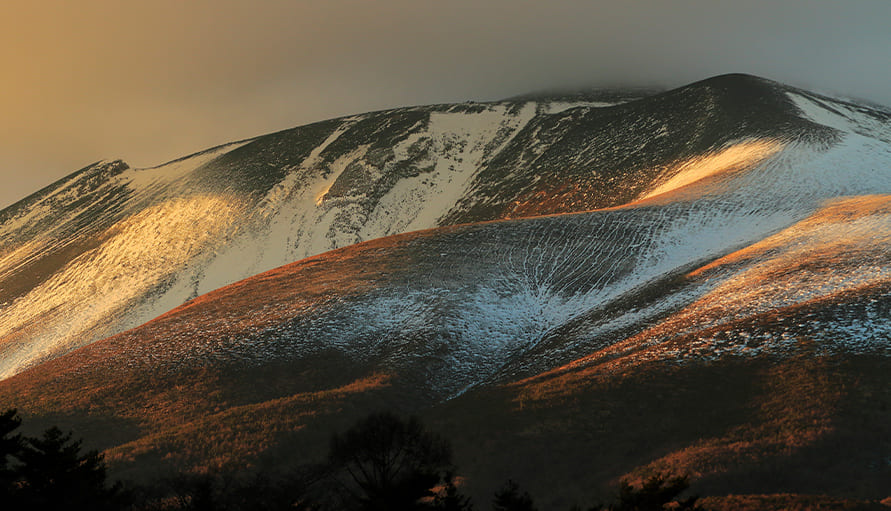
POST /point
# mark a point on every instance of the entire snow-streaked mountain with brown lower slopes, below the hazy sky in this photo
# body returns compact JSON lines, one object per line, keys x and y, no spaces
{"x":696,"y":280}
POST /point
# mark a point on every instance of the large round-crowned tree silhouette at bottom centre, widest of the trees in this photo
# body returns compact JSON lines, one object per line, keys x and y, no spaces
{"x":390,"y":463}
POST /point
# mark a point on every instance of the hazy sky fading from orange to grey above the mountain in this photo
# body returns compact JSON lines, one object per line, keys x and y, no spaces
{"x":150,"y":81}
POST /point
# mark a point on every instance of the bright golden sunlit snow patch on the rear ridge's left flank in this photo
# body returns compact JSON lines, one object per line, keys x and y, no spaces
{"x":137,"y":255}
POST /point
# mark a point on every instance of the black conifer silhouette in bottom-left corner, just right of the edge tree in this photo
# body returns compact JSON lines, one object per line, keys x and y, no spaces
{"x":55,"y":475}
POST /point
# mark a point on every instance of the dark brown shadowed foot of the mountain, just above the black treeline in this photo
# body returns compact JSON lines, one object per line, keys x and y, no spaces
{"x":805,"y":425}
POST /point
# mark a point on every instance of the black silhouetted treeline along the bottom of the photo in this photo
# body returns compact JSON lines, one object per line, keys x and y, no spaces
{"x":381,"y":463}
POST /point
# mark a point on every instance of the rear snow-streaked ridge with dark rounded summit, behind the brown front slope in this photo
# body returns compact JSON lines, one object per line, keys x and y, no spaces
{"x":111,"y":247}
